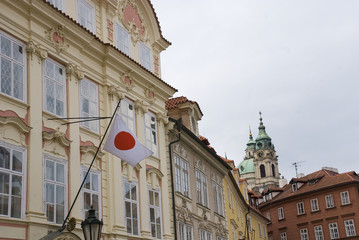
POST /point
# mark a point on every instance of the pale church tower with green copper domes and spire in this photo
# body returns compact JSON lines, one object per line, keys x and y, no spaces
{"x":260,"y":165}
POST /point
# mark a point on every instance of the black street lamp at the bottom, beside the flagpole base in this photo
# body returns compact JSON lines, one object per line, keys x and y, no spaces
{"x":91,"y":226}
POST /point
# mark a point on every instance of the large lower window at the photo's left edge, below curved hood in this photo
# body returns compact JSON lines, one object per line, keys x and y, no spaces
{"x":12,"y":180}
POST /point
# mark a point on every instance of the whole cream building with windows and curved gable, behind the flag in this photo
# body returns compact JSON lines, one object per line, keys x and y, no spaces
{"x":77,"y":58}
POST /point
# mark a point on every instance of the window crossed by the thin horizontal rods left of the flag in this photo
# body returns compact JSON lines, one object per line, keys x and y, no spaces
{"x":89,"y":103}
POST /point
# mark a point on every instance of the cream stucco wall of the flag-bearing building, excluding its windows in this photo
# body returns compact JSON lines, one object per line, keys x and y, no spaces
{"x":45,"y":34}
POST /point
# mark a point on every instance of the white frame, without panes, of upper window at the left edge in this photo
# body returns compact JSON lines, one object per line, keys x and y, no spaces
{"x":14,"y":61}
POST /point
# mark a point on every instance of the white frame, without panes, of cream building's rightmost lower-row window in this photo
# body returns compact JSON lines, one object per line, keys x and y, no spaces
{"x":157,"y":213}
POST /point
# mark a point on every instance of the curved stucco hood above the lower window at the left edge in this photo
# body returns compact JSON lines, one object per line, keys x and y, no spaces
{"x":13,"y":128}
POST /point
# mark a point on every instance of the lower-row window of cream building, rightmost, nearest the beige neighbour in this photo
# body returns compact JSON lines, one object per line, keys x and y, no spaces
{"x":155,"y":213}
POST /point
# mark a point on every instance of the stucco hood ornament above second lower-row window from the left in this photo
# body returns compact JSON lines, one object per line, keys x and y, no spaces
{"x":54,"y":139}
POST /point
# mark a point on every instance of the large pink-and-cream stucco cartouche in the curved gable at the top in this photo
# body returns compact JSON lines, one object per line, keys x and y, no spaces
{"x":132,"y":18}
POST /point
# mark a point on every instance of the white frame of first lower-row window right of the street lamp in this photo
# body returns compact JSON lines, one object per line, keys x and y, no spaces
{"x":131,"y":202}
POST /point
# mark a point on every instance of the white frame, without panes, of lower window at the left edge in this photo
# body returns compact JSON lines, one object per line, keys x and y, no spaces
{"x":12,"y":173}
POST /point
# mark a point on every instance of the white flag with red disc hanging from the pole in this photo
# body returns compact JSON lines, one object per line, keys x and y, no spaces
{"x":122,"y":143}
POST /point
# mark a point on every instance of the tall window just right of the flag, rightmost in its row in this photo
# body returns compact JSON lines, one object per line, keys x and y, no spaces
{"x":151,"y":132}
